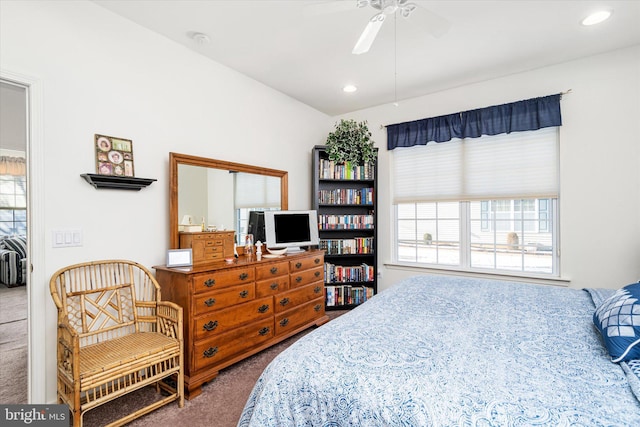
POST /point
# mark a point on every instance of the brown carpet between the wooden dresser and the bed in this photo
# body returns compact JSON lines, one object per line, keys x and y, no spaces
{"x":219,"y":405}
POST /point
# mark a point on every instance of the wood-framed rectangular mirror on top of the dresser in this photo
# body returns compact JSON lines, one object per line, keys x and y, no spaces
{"x":217,"y":193}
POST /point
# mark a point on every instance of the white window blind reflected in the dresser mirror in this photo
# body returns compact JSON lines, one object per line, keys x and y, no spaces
{"x":256,"y":191}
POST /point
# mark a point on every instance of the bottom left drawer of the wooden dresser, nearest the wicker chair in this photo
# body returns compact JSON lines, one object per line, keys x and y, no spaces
{"x":225,"y":346}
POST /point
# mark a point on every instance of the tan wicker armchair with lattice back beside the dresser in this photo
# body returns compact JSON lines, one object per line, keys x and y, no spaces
{"x":115,"y":336}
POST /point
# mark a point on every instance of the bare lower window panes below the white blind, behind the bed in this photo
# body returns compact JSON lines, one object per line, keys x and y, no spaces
{"x":508,"y":240}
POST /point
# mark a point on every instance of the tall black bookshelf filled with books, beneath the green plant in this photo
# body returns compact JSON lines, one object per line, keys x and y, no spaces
{"x":345,"y":197}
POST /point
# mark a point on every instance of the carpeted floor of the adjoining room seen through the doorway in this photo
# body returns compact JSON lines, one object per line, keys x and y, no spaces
{"x":13,"y":344}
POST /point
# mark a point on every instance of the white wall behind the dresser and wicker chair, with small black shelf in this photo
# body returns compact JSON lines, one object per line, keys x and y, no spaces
{"x":100,"y":73}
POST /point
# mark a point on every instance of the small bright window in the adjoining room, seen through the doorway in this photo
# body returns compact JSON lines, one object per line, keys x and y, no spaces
{"x":13,"y":205}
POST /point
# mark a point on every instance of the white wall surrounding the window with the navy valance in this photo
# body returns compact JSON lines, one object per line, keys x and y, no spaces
{"x":599,"y":159}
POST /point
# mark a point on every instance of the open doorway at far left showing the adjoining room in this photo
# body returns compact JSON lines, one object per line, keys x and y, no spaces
{"x":14,"y":339}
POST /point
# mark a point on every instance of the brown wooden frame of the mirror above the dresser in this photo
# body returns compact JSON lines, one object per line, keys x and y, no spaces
{"x":176,"y":159}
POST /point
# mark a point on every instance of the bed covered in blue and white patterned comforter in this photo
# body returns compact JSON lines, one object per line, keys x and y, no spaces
{"x":451,"y":351}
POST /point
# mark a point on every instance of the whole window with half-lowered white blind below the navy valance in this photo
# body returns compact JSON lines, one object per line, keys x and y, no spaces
{"x":481,"y":204}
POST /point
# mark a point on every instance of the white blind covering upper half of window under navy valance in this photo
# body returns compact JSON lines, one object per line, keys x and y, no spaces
{"x":505,"y":166}
